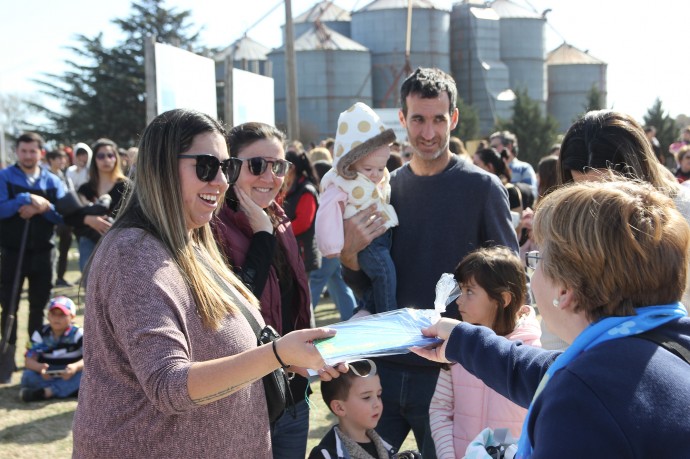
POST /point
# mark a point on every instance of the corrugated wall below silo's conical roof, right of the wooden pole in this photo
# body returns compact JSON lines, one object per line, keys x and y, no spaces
{"x":330,"y":81}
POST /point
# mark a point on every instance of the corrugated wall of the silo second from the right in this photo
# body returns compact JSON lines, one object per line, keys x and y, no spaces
{"x":523,"y":51}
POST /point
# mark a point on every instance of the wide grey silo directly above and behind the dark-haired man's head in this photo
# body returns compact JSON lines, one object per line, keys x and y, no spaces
{"x":381,"y":27}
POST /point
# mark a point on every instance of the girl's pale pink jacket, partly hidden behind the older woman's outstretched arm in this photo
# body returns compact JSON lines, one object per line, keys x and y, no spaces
{"x":462,"y":405}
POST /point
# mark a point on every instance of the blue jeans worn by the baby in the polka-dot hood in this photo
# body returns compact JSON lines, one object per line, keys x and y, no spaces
{"x":376,"y":262}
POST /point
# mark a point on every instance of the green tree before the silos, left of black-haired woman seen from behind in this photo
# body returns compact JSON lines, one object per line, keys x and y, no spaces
{"x":536,"y":132}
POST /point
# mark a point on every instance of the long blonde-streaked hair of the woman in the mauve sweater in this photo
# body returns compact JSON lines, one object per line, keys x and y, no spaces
{"x":155,"y":204}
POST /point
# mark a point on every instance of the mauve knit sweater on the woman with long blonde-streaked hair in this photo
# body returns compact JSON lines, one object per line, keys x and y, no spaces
{"x":142,"y":334}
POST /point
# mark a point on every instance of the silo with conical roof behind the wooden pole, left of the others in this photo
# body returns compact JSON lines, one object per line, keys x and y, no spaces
{"x":332,"y":74}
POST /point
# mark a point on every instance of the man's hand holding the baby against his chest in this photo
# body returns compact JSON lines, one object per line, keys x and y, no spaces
{"x":360,"y":229}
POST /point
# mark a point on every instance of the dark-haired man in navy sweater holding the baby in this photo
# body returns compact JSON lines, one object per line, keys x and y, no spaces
{"x":447,"y":207}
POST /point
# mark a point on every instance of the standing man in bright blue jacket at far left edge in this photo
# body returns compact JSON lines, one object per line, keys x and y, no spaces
{"x":27,"y":196}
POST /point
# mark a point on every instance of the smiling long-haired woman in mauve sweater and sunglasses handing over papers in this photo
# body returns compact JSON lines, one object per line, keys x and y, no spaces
{"x":171,"y":366}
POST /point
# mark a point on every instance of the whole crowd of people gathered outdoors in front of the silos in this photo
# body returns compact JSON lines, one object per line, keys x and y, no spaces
{"x":188,"y":240}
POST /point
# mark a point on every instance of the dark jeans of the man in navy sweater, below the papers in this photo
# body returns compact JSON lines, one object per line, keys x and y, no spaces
{"x":406,"y":395}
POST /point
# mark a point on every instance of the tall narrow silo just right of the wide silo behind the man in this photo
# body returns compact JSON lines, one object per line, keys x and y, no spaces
{"x":482,"y":78}
